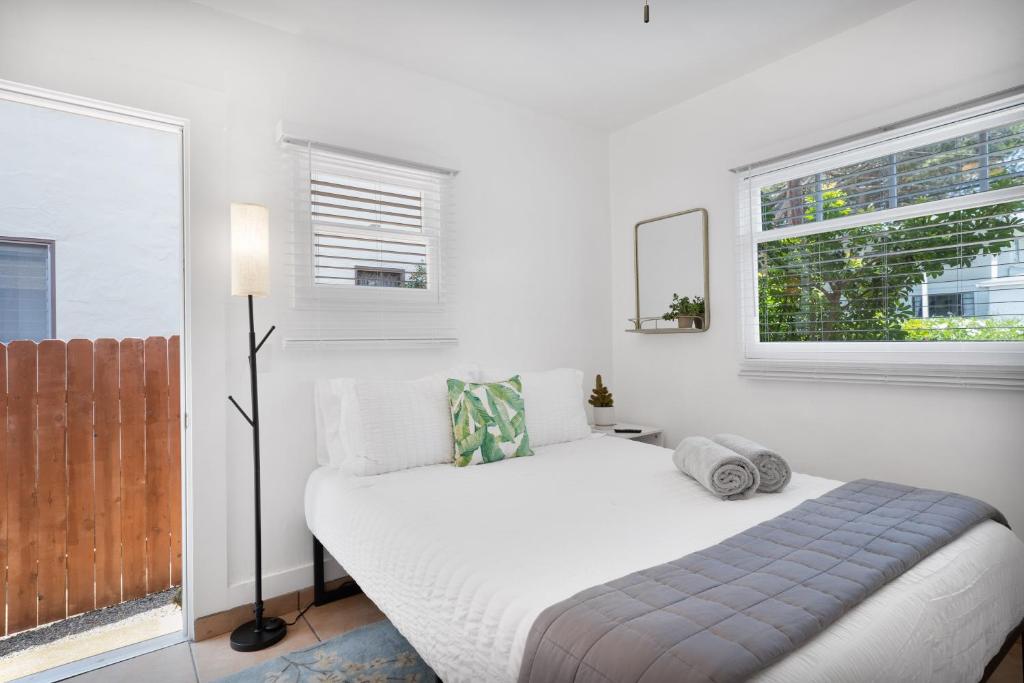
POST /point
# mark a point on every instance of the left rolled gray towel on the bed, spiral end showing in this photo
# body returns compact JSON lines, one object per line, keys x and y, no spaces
{"x":721,"y":472}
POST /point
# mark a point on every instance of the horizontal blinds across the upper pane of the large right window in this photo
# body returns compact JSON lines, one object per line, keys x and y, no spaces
{"x":963,"y":165}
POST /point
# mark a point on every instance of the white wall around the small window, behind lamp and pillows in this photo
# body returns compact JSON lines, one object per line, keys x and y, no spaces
{"x":533,"y":241}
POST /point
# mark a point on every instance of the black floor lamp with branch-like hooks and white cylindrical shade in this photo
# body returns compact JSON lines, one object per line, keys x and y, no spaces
{"x":250,"y":277}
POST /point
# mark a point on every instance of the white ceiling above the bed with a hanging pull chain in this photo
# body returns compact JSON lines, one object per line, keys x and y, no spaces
{"x":589,"y":61}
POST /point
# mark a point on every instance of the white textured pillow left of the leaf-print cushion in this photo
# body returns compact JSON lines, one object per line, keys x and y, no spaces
{"x":376,"y":426}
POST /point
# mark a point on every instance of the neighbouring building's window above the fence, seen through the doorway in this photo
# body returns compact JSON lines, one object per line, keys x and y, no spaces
{"x":26,"y":290}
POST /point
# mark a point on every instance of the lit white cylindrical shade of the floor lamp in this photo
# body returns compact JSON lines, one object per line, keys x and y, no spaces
{"x":250,"y":250}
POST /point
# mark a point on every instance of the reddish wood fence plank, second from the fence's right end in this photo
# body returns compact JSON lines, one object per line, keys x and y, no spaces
{"x":158,"y":510}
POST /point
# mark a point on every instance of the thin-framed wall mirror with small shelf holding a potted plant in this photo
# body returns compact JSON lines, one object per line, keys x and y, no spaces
{"x":670,"y":262}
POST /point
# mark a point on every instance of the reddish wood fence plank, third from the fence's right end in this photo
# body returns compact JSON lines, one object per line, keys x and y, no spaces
{"x":133,"y":469}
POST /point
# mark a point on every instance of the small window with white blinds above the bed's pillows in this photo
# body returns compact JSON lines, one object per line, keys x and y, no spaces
{"x":372,"y":246}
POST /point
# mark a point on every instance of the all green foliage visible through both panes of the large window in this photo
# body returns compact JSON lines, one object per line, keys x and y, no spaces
{"x":856,"y":284}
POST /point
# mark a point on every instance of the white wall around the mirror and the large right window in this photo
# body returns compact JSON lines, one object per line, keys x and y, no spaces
{"x":915,"y":60}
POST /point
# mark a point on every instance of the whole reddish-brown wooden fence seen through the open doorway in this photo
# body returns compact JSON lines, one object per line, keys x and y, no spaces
{"x":91,"y":474}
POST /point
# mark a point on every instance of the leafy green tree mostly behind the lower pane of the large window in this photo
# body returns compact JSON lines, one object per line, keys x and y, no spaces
{"x":855,"y":284}
